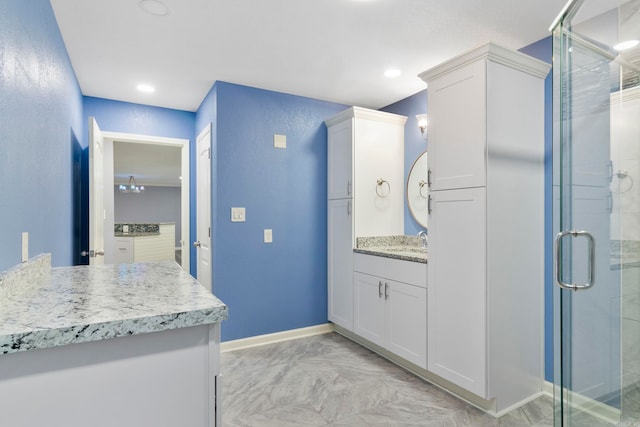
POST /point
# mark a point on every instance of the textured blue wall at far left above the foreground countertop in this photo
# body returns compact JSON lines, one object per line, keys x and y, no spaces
{"x":40,"y":119}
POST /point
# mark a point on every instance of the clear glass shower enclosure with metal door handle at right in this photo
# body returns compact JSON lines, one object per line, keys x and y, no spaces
{"x":596,"y":185}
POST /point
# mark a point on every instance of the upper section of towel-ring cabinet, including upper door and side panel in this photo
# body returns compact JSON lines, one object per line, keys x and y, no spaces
{"x":365,"y":151}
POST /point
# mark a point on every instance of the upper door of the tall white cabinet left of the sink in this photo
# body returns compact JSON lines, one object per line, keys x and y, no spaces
{"x":339,"y":158}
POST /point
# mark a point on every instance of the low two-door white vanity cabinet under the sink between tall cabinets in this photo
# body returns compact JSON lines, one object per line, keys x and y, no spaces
{"x":391,"y":305}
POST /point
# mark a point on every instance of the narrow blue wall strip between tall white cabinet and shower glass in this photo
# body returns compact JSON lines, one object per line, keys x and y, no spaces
{"x":543,"y":50}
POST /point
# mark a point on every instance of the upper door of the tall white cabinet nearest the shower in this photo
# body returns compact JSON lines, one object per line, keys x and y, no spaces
{"x":457,"y":128}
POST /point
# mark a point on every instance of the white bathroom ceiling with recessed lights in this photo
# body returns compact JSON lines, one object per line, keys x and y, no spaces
{"x":334,"y":50}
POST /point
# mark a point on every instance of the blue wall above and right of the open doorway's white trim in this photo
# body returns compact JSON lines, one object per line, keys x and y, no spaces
{"x":117,"y":116}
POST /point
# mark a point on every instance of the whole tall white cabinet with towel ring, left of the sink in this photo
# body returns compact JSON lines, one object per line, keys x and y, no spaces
{"x":365,"y":192}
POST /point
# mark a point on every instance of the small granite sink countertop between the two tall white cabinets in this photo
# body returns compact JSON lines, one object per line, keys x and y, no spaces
{"x":406,"y":248}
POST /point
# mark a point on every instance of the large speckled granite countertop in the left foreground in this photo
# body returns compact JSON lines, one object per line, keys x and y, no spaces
{"x":88,"y":303}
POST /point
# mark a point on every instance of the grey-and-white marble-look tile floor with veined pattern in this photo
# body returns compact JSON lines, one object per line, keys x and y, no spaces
{"x":328,"y":380}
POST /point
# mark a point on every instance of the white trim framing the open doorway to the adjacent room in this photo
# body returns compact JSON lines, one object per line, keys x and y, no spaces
{"x":109,"y":138}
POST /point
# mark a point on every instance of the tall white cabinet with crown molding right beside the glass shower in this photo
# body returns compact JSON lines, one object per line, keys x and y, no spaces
{"x":486,"y":223}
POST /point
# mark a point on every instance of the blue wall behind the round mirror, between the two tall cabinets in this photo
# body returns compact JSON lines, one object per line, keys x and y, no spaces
{"x":414,"y":144}
